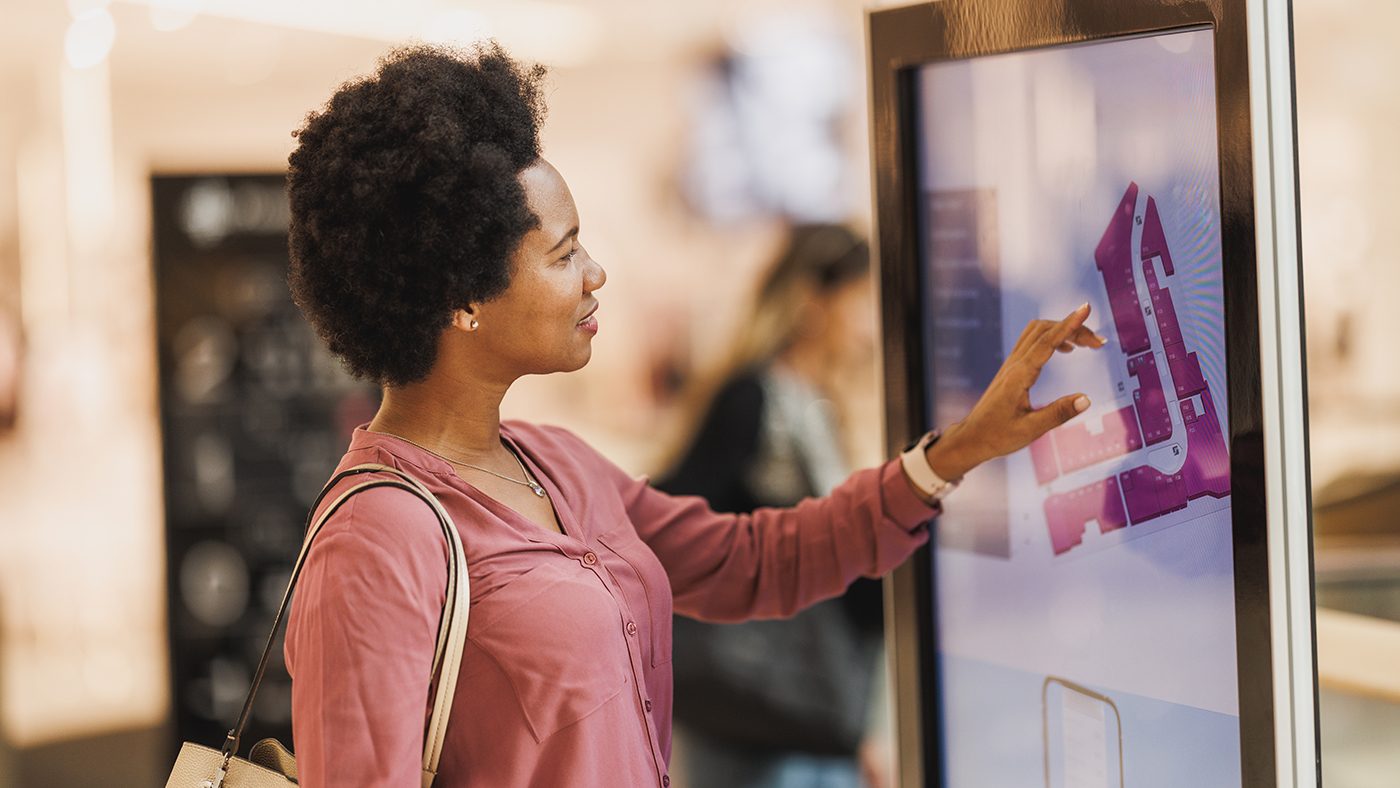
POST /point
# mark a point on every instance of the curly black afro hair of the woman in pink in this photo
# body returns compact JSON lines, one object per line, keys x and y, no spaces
{"x":407,"y":202}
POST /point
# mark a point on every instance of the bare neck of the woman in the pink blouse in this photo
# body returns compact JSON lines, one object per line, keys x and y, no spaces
{"x":456,"y":418}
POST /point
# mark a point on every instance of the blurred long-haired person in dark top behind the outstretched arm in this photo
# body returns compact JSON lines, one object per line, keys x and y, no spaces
{"x":783,"y":703}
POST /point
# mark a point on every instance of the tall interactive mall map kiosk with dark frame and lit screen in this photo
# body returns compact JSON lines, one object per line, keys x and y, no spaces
{"x":1128,"y":603}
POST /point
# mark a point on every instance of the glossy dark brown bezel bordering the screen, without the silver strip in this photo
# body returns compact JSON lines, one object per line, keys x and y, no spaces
{"x":902,"y":40}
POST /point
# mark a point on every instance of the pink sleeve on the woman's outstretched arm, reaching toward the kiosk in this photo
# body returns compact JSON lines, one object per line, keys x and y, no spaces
{"x":775,"y":562}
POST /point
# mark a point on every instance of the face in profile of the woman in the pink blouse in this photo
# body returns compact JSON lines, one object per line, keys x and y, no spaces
{"x":544,"y":321}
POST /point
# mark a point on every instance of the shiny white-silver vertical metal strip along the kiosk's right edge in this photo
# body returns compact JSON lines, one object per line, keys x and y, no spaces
{"x":1284,"y":393}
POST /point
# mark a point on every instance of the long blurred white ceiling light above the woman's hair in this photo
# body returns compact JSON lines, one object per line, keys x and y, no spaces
{"x":545,"y":31}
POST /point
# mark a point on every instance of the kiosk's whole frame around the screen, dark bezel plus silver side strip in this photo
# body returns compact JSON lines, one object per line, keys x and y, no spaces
{"x":1265,"y":342}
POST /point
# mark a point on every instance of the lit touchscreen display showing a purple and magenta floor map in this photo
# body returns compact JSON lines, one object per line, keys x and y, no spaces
{"x":1084,"y":587}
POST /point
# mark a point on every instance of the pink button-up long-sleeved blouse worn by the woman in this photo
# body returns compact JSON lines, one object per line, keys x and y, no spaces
{"x":566,"y":680}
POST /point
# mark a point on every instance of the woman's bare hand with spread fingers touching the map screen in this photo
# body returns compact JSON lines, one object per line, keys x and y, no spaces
{"x":1003,"y":421}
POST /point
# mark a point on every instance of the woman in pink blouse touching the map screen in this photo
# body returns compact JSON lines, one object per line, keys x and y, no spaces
{"x":440,"y":255}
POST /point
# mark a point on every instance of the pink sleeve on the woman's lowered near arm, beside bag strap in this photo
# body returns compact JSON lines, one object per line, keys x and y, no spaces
{"x":360,"y":642}
